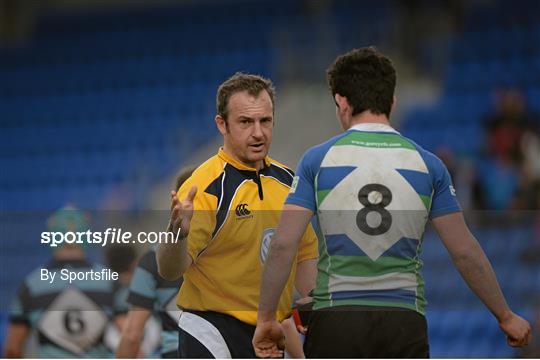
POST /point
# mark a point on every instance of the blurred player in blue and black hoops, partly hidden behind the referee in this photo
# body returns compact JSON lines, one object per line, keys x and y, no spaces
{"x":149,"y":292}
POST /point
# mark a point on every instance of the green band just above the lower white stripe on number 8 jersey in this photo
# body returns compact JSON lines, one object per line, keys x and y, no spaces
{"x":364,"y":266}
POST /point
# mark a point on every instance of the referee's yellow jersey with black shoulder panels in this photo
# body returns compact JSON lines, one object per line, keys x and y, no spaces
{"x":236,"y":212}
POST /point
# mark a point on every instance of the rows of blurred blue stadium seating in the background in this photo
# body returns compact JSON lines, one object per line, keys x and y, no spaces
{"x":121,"y":96}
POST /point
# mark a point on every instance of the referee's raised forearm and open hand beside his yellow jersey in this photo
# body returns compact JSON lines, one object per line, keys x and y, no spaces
{"x":173,"y":259}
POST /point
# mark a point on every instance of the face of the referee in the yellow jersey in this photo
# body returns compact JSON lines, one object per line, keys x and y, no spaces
{"x":248,"y":130}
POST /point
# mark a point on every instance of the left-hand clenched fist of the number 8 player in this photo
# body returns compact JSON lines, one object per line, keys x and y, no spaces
{"x":269,"y":340}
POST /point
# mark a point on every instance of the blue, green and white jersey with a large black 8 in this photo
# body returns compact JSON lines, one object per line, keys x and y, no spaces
{"x":373,"y":191}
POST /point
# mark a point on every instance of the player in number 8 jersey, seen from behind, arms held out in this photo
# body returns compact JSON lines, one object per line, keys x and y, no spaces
{"x":373,"y":191}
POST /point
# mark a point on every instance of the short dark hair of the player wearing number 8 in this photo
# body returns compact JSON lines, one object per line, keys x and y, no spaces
{"x":366,"y":78}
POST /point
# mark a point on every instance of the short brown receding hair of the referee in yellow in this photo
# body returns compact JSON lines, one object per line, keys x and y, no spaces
{"x":239,"y":82}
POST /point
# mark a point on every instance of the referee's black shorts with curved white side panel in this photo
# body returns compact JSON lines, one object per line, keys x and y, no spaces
{"x":235,"y":340}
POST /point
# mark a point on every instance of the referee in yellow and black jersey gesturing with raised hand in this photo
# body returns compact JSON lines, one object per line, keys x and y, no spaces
{"x":227,"y":212}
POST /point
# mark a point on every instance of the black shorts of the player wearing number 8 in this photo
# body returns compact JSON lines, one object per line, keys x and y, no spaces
{"x":366,"y":332}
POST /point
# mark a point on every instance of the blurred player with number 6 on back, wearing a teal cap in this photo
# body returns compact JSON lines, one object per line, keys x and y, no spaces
{"x":70,"y":320}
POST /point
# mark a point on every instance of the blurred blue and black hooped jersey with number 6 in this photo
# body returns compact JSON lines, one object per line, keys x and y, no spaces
{"x":70,"y":319}
